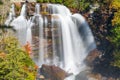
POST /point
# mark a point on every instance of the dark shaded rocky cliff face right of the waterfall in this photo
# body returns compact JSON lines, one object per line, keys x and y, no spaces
{"x":100,"y":23}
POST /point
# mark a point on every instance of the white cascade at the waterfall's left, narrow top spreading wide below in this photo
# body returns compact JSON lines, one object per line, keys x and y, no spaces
{"x":23,"y":27}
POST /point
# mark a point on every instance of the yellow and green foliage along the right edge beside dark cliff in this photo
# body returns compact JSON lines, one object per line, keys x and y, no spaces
{"x":115,"y":38}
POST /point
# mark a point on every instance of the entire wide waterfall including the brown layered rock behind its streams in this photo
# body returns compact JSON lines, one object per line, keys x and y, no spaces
{"x":63,"y":39}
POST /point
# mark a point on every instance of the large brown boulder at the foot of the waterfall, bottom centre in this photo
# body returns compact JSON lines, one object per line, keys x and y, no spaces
{"x":53,"y":72}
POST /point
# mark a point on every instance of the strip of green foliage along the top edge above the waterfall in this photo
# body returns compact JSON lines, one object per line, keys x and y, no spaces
{"x":76,"y":4}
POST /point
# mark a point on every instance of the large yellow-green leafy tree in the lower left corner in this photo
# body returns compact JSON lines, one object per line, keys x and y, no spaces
{"x":15,"y":62}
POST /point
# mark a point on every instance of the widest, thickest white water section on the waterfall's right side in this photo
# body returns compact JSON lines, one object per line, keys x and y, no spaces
{"x":76,"y":44}
